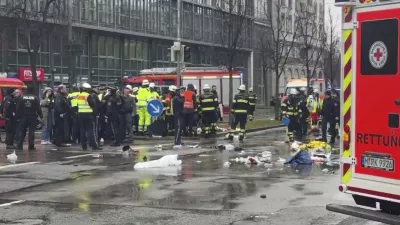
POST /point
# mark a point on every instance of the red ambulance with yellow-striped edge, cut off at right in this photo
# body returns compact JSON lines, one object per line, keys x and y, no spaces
{"x":370,"y":123}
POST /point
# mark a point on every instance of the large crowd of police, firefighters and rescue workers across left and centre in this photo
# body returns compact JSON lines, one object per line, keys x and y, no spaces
{"x":91,"y":115}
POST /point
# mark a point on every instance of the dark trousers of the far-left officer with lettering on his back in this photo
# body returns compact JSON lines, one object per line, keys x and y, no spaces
{"x":30,"y":123}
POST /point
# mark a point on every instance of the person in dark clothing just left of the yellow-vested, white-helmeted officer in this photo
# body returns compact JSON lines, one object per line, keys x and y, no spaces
{"x":61,"y":109}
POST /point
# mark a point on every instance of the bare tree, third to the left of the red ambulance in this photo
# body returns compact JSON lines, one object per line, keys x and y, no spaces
{"x":277,"y":43}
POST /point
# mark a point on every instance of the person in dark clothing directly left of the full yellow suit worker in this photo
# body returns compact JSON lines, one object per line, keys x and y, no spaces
{"x":128,"y":107}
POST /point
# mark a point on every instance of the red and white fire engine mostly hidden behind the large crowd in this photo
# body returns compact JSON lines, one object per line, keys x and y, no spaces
{"x":198,"y":76}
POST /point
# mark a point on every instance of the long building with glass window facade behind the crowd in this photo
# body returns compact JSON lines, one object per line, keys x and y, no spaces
{"x":122,"y":37}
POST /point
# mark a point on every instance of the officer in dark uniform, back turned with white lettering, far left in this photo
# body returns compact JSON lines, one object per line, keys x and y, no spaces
{"x":28,"y":111}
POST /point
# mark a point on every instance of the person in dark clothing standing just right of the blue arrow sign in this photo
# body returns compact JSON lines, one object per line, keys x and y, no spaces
{"x":177,"y":108}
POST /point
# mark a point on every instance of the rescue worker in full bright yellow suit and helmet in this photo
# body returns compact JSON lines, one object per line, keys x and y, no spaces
{"x":143,"y":97}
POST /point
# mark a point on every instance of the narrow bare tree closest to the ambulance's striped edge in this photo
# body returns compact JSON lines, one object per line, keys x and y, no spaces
{"x":331,"y":58}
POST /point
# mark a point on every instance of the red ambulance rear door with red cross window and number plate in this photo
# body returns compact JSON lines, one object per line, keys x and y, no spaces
{"x":375,"y":116}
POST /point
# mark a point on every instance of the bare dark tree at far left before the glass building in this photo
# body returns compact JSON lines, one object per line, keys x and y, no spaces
{"x":34,"y":21}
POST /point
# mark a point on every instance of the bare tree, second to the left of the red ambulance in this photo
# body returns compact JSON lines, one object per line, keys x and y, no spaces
{"x":312,"y":38}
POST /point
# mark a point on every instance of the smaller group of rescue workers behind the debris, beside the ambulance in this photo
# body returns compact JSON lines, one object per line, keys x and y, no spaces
{"x":311,"y":112}
